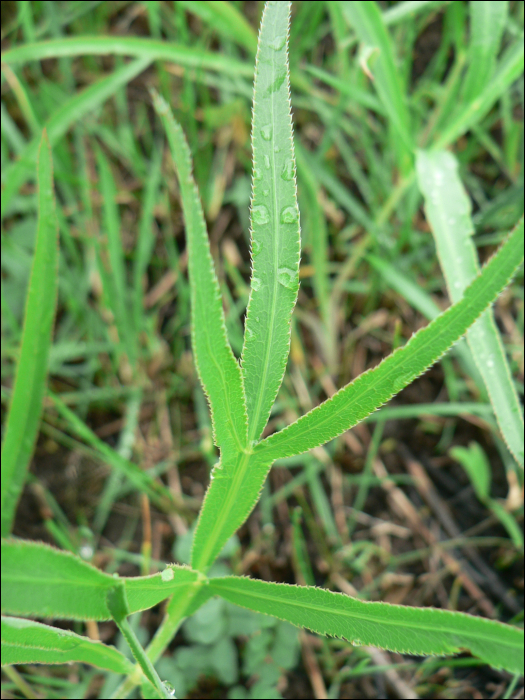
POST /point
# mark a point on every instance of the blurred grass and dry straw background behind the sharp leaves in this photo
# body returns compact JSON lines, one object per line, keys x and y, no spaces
{"x":386,"y":511}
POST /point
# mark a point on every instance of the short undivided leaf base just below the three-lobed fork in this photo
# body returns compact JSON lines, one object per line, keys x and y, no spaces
{"x":235,"y":484}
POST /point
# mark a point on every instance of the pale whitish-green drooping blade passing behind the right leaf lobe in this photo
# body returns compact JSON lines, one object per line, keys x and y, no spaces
{"x":448,"y":211}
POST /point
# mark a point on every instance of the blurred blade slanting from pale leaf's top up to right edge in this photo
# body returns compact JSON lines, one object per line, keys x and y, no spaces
{"x":469,"y":114}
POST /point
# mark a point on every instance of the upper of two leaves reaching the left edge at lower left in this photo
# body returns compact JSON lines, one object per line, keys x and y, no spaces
{"x":40,"y":580}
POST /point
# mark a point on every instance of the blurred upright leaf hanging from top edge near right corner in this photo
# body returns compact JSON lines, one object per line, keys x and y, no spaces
{"x":487,"y":22}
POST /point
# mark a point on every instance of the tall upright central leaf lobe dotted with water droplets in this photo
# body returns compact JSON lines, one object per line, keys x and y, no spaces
{"x":275,"y":239}
